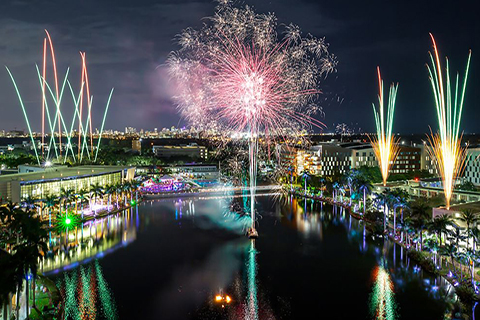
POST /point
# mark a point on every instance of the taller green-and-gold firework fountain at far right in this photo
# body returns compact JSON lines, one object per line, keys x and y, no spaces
{"x":445,"y":145}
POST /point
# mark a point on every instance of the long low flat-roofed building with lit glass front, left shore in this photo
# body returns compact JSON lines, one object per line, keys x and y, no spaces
{"x":51,"y":180}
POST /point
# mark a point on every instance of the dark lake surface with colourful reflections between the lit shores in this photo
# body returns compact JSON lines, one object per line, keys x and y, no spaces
{"x":169,"y":259}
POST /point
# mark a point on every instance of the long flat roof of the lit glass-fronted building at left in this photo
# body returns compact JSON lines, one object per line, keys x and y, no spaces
{"x":62,"y":173}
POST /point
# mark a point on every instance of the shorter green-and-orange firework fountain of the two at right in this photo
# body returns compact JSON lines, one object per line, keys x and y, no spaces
{"x":384,"y":144}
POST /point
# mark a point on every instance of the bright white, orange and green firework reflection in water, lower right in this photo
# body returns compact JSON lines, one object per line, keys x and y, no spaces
{"x":382,"y":299}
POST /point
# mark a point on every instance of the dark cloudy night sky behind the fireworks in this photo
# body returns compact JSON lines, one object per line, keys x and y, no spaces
{"x":128,"y":41}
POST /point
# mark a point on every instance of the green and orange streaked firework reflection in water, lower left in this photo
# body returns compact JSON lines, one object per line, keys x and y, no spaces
{"x":86,"y":294}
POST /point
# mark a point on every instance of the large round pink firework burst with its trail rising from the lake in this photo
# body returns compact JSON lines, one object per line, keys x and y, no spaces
{"x":235,"y":75}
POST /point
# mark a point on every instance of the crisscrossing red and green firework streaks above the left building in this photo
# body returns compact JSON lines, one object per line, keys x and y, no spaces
{"x":52,"y":104}
